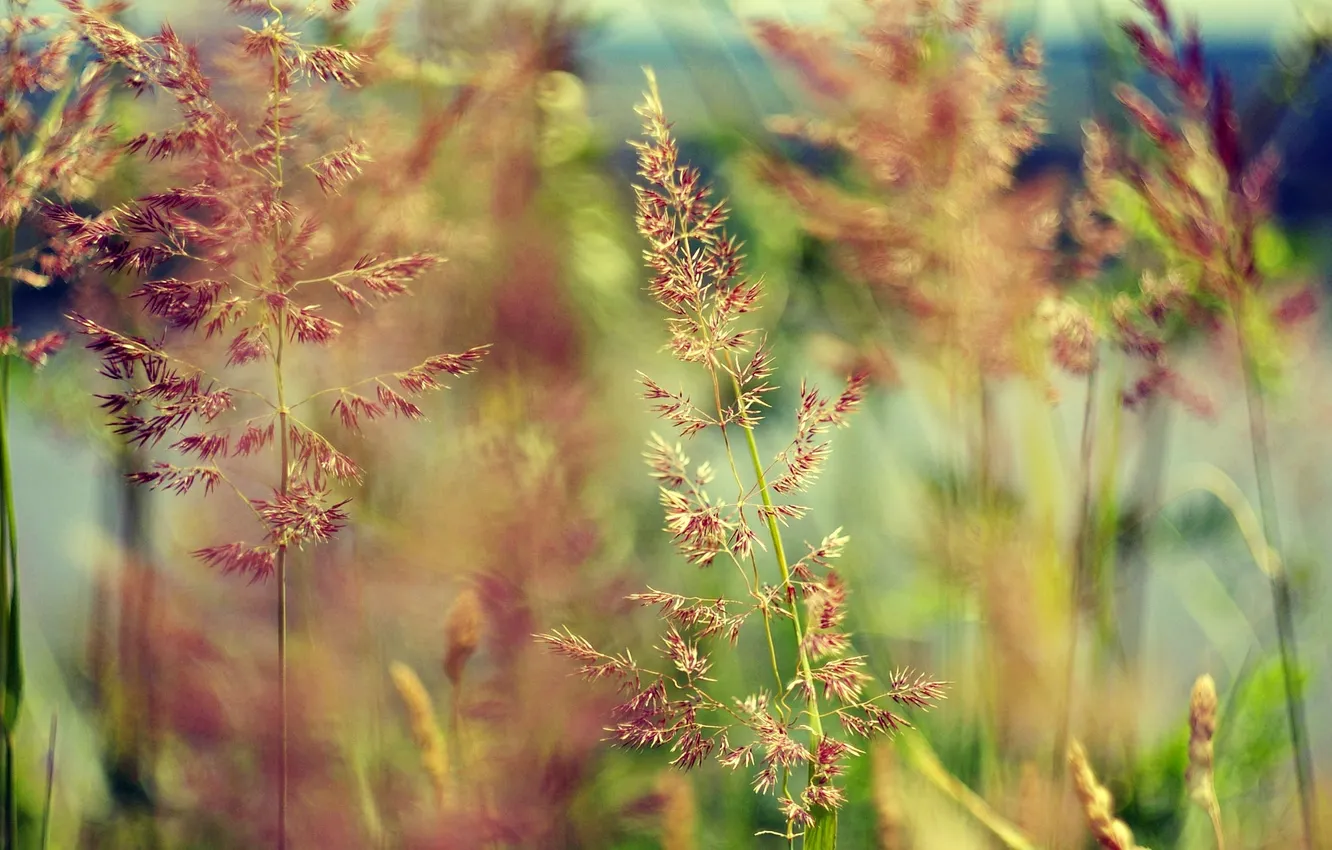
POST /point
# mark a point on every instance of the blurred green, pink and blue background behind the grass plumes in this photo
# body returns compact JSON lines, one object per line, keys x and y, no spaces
{"x":499,"y":139}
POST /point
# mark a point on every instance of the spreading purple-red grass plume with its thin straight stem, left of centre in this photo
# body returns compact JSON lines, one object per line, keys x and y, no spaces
{"x":228,"y":251}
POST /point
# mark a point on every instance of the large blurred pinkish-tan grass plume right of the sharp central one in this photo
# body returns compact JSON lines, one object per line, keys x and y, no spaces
{"x":934,"y":111}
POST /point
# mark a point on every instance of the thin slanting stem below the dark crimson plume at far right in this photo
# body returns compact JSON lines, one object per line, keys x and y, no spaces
{"x":1283,"y":603}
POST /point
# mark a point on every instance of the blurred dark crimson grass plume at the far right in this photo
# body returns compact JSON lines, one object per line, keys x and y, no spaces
{"x":1206,"y":202}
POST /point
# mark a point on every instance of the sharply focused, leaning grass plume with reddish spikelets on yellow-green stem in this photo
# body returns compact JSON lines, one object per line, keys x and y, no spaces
{"x":699,"y":279}
